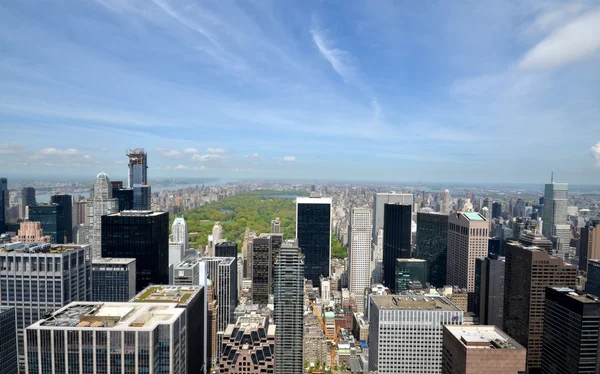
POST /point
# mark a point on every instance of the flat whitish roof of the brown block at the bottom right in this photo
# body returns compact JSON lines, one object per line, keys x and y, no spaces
{"x":482,"y":337}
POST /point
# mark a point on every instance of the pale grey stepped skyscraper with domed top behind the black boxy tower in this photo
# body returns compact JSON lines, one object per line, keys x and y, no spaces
{"x":101,"y":203}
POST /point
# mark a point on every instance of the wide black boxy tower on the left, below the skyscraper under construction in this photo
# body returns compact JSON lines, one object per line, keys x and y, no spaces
{"x":143,"y":235}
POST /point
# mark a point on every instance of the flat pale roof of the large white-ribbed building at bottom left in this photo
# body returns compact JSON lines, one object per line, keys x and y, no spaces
{"x":119,"y":316}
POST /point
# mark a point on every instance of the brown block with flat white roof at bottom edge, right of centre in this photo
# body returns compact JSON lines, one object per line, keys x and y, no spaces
{"x":481,"y":349}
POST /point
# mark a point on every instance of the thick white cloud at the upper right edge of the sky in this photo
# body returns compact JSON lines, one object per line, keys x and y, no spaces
{"x":577,"y":40}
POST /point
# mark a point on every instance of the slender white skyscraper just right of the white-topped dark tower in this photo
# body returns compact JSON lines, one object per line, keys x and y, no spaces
{"x":359,"y":256}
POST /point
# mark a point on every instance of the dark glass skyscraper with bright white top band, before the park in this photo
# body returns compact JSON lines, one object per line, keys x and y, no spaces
{"x":313,"y":231}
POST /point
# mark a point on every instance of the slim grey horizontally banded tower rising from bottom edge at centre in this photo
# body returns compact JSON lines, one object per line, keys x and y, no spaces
{"x":289,"y":310}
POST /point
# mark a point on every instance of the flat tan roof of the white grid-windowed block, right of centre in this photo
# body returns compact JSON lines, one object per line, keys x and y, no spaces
{"x":414,"y":302}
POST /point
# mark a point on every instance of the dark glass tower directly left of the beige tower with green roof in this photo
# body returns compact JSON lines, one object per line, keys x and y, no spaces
{"x":432,"y":245}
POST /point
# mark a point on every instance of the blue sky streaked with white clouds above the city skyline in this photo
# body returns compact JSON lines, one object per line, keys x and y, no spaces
{"x":458,"y":91}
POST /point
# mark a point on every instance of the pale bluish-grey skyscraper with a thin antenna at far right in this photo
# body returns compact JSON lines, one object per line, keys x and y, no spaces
{"x":556,"y":228}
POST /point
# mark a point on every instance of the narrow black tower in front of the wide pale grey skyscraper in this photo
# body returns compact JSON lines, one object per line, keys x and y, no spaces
{"x":396,"y":239}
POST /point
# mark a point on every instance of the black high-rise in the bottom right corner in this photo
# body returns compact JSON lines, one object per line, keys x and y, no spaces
{"x":570,"y":341}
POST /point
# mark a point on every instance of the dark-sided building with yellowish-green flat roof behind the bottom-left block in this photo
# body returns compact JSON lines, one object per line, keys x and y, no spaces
{"x":193,"y":300}
